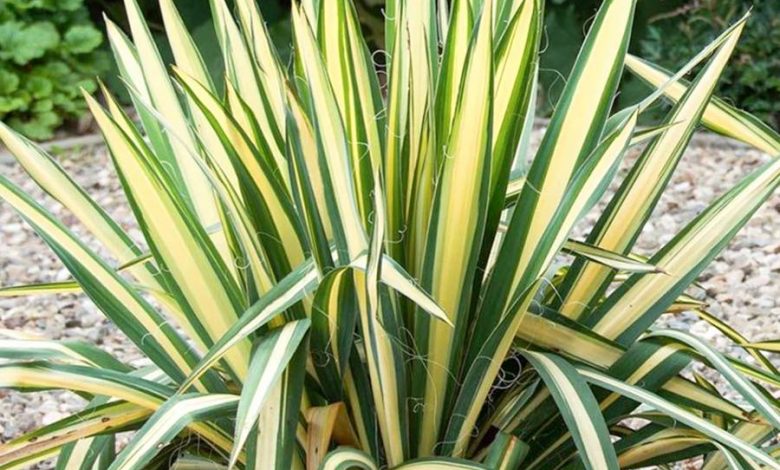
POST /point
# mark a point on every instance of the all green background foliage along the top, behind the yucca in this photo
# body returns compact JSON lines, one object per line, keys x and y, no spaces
{"x":51,"y":48}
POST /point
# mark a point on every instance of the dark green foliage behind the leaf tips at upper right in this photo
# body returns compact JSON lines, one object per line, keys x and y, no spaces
{"x":669,"y":33}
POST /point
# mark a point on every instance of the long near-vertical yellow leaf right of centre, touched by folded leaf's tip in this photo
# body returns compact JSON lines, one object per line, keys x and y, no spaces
{"x":460,"y":200}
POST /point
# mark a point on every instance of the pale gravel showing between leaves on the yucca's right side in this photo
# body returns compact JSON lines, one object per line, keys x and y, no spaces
{"x":742,"y":285}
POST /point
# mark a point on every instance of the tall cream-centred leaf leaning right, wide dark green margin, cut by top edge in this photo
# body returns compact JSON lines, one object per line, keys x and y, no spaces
{"x":574,"y":132}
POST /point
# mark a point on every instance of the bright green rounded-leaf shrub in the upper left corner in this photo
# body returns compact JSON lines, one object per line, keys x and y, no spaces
{"x":49,"y":49}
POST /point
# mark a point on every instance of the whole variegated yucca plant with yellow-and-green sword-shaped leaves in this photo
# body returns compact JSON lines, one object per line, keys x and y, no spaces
{"x":342,"y":271}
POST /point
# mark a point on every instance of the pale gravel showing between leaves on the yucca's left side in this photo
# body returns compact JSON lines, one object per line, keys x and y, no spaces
{"x":24,"y":258}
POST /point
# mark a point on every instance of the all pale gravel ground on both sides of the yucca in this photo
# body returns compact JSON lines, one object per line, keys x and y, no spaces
{"x":742,"y":285}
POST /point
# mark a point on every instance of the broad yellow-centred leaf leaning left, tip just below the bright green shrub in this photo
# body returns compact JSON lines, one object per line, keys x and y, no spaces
{"x":179,"y":242}
